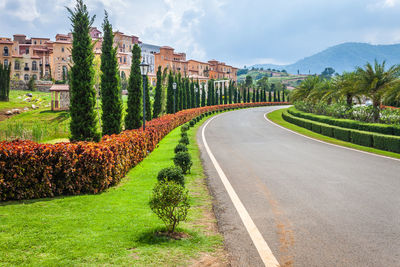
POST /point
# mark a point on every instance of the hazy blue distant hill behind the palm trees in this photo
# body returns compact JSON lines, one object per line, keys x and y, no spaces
{"x":343,"y":57}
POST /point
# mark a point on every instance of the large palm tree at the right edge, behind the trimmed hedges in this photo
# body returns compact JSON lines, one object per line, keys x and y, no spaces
{"x":374,"y":82}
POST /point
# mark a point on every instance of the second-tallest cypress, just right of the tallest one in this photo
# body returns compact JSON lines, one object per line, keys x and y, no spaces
{"x":111,"y":103}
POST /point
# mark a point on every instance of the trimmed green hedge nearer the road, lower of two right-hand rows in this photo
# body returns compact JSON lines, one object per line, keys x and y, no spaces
{"x":380,"y":141}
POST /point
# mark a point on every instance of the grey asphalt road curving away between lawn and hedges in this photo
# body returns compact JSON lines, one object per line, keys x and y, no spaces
{"x":314,"y":204}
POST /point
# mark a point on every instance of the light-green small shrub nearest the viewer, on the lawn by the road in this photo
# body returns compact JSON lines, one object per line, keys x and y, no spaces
{"x":170,"y":202}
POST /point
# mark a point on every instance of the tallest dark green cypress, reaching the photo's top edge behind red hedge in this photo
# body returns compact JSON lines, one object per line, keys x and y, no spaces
{"x":83,"y":124}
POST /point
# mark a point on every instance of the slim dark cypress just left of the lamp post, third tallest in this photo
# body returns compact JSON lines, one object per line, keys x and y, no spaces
{"x":133,"y":118}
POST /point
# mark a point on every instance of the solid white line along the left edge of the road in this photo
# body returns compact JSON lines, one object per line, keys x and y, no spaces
{"x":262,"y":247}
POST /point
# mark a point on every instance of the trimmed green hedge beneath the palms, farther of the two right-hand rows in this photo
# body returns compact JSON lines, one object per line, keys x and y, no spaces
{"x":350,"y":124}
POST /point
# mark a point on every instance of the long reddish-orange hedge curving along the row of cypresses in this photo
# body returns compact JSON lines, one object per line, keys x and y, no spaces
{"x":31,"y":170}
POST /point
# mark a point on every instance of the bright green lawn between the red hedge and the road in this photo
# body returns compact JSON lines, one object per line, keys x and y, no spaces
{"x":116,"y":227}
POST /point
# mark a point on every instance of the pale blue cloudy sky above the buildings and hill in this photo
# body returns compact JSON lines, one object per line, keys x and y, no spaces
{"x":235,"y":31}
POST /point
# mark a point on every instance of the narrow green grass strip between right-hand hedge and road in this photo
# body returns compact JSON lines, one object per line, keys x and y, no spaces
{"x":276,"y":116}
